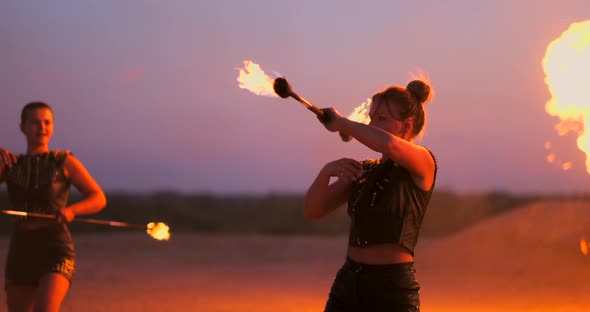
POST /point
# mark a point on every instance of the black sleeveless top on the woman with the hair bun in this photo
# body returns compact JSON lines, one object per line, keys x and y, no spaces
{"x":386,"y":206}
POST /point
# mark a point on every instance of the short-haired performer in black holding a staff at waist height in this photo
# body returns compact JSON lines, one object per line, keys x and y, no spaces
{"x":41,"y":258}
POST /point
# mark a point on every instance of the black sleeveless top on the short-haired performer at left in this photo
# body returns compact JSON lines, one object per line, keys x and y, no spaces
{"x":37,"y":183}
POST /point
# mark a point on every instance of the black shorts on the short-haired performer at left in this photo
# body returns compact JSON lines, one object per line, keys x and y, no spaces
{"x":34,"y":253}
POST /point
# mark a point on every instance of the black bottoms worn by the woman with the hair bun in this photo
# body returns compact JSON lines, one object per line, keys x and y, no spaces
{"x":371,"y":288}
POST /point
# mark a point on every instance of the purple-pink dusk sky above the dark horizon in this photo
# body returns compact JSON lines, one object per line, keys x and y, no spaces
{"x":144,"y":92}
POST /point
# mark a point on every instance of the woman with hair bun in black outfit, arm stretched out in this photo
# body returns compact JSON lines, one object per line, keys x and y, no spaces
{"x":387,"y":199}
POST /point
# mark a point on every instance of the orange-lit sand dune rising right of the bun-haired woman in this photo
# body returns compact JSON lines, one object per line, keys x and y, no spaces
{"x":528,"y":259}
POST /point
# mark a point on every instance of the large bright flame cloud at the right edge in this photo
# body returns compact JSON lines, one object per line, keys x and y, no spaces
{"x":566,"y":65}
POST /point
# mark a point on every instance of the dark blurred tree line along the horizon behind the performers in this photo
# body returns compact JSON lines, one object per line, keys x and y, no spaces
{"x":278,"y":214}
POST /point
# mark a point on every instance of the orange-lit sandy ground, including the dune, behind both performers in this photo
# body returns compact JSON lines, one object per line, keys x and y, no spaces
{"x":525,"y":260}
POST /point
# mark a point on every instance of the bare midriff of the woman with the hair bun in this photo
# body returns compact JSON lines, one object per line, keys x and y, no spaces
{"x":380,"y":254}
